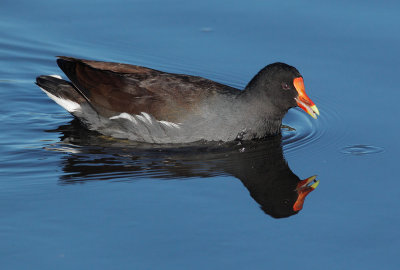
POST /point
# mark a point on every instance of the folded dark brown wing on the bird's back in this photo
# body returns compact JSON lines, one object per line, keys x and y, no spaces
{"x":115,"y":88}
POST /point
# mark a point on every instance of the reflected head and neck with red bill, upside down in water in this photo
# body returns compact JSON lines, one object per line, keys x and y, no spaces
{"x":271,"y":183}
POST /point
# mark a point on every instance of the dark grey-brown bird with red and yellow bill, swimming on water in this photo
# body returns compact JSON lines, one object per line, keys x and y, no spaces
{"x":141,"y":104}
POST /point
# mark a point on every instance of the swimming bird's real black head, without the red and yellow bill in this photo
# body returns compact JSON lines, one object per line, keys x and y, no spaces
{"x":276,"y":83}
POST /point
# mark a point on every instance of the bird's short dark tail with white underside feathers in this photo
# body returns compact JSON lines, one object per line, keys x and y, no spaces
{"x":62,"y":92}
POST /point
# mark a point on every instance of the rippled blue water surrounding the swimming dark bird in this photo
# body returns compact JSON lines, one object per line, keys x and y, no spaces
{"x":80,"y":201}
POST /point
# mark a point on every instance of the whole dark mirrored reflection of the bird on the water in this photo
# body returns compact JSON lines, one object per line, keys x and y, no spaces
{"x":259,"y":165}
